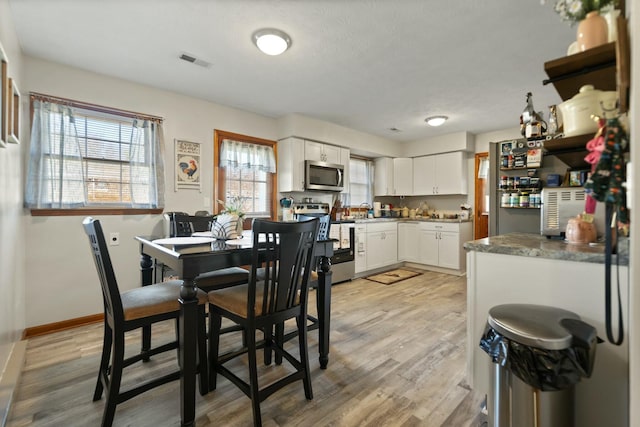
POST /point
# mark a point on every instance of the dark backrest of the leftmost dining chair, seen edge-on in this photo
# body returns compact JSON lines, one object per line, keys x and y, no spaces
{"x":110,"y":292}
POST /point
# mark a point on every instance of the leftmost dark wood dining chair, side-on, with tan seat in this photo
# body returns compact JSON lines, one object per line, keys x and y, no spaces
{"x":130,"y":310}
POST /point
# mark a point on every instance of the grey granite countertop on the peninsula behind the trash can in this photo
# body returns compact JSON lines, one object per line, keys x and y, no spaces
{"x":535,"y":245}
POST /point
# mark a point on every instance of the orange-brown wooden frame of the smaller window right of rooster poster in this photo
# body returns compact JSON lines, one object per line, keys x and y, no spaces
{"x":219,"y":174}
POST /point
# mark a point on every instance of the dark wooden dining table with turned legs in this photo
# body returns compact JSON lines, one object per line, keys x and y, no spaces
{"x":223,"y":254}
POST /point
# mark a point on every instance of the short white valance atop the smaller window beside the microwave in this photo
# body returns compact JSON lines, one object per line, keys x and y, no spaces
{"x":245,"y":155}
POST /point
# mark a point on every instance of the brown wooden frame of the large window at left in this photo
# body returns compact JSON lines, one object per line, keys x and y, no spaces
{"x":92,"y":210}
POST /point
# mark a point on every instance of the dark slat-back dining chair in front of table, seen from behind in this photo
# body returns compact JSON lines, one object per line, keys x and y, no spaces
{"x":285,"y":251}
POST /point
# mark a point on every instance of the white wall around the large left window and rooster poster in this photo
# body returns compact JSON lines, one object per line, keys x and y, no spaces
{"x":63,"y":283}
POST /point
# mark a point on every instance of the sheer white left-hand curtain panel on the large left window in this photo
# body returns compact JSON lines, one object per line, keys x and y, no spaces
{"x":55,"y":177}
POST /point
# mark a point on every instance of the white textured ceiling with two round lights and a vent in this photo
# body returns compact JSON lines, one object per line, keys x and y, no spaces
{"x":364,"y":64}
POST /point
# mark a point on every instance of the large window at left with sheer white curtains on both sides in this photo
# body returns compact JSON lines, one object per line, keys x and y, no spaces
{"x":87,"y":157}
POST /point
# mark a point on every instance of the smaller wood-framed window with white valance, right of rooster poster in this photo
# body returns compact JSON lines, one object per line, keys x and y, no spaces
{"x":246,"y":174}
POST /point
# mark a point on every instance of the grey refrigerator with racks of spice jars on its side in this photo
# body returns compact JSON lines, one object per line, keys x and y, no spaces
{"x":518,"y":159}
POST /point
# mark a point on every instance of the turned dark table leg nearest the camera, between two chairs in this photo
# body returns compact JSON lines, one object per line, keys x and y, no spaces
{"x":187,"y":350}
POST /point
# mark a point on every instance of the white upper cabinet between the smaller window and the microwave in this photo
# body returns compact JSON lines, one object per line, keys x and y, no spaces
{"x":291,"y":152}
